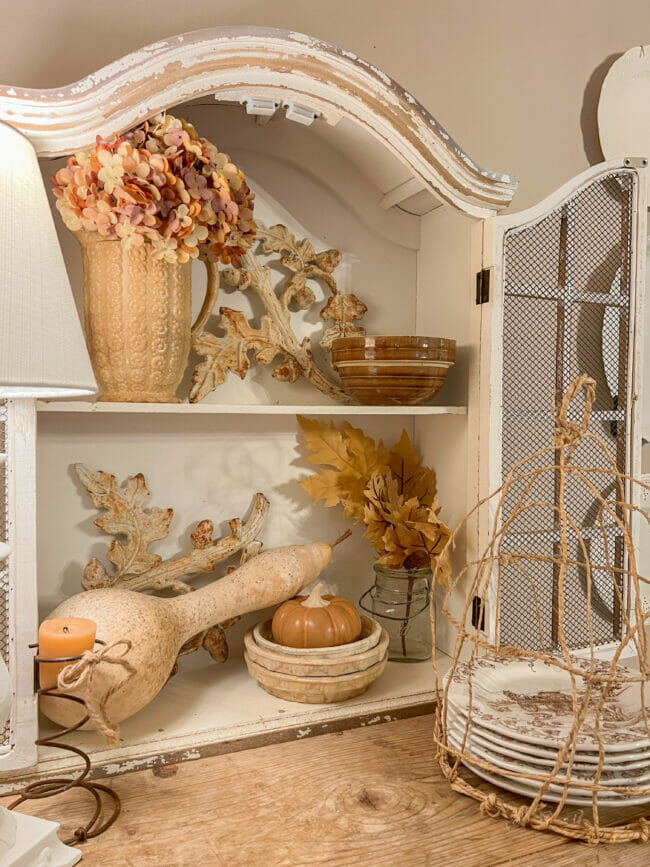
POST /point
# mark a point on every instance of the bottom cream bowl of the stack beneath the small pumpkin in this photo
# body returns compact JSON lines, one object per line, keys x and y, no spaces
{"x":314,"y":690}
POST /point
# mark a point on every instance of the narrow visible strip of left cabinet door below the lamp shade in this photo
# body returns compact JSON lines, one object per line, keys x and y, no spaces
{"x":18,"y":618}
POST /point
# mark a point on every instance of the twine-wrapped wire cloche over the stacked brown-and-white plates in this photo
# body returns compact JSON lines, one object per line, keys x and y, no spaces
{"x":591,"y":681}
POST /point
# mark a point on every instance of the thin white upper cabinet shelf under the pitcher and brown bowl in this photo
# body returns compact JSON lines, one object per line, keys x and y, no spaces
{"x":246,"y":409}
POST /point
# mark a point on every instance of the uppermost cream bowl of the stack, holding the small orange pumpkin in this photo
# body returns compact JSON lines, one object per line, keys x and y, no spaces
{"x":308,"y":665}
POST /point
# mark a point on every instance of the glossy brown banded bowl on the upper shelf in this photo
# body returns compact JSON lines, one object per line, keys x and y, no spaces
{"x":392,"y":370}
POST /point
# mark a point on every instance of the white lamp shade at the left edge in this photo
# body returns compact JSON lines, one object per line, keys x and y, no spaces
{"x":42,"y":348}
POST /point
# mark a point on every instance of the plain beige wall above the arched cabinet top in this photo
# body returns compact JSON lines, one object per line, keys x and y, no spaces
{"x":514,"y":81}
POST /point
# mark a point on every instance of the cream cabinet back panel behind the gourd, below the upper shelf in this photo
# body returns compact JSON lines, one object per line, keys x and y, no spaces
{"x":202,"y":467}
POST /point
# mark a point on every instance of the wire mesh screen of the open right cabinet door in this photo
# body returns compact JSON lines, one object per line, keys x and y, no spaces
{"x":566,"y":312}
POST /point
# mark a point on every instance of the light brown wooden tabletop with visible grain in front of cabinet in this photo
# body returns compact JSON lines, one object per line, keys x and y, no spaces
{"x":370,"y":796}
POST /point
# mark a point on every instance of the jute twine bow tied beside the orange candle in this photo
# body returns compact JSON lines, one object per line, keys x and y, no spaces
{"x":80,"y":675}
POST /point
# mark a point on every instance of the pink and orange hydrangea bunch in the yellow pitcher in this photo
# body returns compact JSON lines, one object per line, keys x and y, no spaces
{"x":160,"y":182}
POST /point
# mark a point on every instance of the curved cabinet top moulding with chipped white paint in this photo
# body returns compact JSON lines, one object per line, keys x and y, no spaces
{"x":242,"y":64}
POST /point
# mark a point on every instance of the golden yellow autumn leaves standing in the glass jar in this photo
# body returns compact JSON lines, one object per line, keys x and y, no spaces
{"x":388,"y":490}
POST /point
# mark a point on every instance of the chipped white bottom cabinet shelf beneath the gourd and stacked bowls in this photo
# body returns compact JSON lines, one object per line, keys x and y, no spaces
{"x":208,"y":709}
